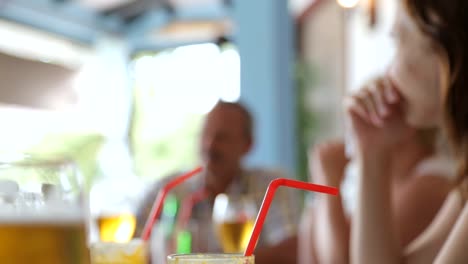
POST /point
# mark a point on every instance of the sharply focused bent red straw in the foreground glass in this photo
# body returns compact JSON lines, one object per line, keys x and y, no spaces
{"x":270,"y":193}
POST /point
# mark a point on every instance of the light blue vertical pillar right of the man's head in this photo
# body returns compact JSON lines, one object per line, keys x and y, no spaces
{"x":265,"y":36}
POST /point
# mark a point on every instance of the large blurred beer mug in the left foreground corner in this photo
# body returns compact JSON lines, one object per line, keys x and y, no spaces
{"x":42,"y":211}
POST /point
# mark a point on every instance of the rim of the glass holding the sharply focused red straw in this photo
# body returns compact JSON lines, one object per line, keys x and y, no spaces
{"x":210,"y":259}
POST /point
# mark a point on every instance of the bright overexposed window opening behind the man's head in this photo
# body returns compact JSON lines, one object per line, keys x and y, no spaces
{"x":174,"y":89}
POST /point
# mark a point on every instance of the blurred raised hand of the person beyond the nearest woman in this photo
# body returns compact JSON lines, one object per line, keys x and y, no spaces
{"x":327,"y":162}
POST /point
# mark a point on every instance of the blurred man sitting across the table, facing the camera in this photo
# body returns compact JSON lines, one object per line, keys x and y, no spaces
{"x":227,"y":137}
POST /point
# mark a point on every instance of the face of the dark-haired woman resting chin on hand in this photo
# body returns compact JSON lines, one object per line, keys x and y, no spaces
{"x":416,"y":72}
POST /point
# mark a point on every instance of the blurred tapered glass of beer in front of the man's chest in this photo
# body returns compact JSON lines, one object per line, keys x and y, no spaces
{"x":233,"y":218}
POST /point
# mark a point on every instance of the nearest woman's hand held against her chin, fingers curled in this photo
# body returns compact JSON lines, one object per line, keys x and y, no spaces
{"x":376,"y":116}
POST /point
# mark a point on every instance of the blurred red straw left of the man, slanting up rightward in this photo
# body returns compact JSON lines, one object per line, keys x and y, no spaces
{"x":158,"y":203}
